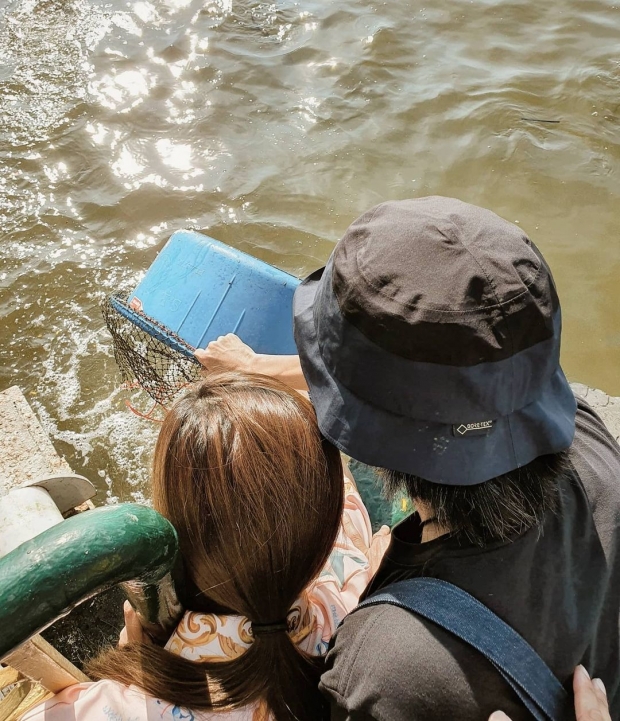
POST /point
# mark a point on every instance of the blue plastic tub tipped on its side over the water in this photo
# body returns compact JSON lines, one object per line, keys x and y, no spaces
{"x":199,"y":289}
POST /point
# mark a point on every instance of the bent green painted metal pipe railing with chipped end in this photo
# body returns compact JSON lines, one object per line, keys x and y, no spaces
{"x":43,"y":579}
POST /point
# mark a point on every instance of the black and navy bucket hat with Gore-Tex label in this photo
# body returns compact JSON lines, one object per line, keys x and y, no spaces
{"x":431,"y":342}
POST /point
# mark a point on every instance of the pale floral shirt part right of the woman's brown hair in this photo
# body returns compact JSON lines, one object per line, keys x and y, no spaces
{"x":345,"y":575}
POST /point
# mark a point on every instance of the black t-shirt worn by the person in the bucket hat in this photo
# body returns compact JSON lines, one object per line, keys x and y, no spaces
{"x":558,"y":586}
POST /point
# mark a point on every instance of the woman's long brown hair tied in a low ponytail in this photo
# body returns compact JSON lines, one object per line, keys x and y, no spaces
{"x":256,"y":495}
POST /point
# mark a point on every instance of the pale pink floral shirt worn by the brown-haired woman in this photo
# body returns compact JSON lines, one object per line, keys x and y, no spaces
{"x":210,"y":637}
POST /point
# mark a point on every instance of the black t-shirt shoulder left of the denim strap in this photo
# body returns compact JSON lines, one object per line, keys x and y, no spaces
{"x":387,"y":663}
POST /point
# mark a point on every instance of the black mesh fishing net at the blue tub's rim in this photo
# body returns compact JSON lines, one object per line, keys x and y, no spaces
{"x":149,"y":355}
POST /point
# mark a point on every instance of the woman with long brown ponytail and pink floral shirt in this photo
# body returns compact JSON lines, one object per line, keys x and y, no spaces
{"x":276,"y":551}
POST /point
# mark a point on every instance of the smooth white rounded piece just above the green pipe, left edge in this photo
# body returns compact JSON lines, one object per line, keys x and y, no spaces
{"x":24,"y":513}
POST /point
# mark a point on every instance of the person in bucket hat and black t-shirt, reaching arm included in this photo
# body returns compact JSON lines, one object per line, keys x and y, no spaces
{"x":430,"y":345}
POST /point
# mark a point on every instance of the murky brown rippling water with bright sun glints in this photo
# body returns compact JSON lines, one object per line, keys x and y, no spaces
{"x":271,"y":126}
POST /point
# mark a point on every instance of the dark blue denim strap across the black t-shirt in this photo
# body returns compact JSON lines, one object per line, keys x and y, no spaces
{"x":464,"y":616}
